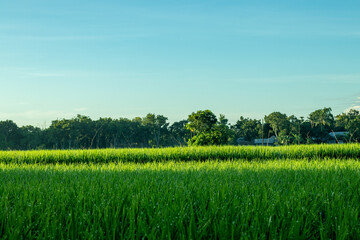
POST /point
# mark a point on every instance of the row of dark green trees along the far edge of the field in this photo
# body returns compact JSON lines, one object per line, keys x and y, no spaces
{"x":200,"y":128}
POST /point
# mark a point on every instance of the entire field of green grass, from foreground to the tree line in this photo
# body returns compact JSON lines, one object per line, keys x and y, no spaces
{"x":297,"y":192}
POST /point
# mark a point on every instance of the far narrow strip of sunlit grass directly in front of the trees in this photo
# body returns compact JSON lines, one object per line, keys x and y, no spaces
{"x":182,"y":154}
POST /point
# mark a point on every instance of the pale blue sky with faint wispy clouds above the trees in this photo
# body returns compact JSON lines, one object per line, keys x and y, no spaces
{"x":115,"y":58}
